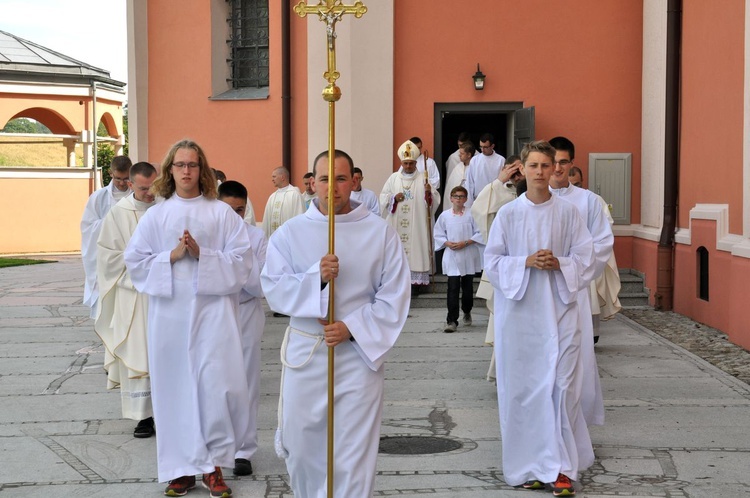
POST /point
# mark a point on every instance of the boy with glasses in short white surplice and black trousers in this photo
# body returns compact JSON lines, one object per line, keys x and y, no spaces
{"x":456,"y":231}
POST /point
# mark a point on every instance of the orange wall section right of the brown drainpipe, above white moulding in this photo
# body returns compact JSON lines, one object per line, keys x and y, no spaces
{"x":712,"y":107}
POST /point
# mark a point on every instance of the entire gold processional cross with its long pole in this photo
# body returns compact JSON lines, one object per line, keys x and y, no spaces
{"x":330,"y":12}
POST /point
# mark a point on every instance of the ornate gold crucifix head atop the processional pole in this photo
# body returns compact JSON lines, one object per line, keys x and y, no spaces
{"x":330,"y":12}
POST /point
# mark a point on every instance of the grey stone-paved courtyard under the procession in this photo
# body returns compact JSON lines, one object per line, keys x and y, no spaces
{"x":676,"y":426}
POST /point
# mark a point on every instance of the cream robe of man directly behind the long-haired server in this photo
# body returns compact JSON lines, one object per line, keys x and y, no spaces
{"x":122,"y":312}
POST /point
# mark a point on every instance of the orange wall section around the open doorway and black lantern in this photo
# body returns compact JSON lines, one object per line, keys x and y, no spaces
{"x":582,"y":75}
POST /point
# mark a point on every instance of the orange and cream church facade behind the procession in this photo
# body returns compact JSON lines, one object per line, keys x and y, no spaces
{"x":244,"y":79}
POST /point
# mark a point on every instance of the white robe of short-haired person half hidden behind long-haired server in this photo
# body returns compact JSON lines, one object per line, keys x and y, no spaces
{"x":252,"y":319}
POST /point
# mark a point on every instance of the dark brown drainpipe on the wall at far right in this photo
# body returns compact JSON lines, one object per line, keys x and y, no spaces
{"x":663,"y":299}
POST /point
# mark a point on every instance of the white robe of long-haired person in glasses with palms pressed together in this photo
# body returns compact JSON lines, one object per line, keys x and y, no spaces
{"x":201,"y":405}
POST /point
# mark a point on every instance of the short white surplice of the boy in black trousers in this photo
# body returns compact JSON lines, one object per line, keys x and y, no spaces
{"x":453,"y":228}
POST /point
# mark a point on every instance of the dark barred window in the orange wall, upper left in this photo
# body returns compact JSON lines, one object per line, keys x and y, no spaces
{"x":248,"y":43}
